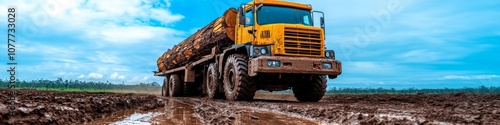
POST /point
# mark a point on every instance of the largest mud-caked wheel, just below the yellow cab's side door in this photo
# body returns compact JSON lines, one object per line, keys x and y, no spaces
{"x":237,"y":85}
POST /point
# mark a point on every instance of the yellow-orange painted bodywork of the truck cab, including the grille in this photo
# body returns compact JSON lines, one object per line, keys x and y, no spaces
{"x":302,"y":45}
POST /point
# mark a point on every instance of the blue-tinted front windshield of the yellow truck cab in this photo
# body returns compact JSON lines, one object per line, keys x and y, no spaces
{"x":278,"y":14}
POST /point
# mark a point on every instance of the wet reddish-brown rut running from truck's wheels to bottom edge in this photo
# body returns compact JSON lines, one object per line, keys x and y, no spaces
{"x":228,"y":112}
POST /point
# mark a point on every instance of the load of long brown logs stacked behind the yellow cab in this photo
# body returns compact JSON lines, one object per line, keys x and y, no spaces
{"x":219,"y":33}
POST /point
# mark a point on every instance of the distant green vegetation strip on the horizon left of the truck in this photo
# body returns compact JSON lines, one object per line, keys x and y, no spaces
{"x":76,"y":85}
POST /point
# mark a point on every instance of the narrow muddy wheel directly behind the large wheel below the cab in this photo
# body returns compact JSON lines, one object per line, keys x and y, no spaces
{"x":212,"y":82}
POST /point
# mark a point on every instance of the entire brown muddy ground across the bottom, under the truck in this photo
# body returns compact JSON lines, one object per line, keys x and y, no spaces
{"x":115,"y":108}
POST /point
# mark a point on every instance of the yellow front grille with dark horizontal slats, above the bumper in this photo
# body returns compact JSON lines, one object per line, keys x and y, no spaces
{"x":303,"y":42}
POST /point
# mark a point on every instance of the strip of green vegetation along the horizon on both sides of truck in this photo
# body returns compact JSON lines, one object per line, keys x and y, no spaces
{"x":76,"y":85}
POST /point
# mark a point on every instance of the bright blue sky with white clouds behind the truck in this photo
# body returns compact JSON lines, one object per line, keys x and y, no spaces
{"x":383,"y":43}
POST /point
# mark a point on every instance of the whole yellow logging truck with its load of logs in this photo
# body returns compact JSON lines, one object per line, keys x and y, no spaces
{"x":263,"y":45}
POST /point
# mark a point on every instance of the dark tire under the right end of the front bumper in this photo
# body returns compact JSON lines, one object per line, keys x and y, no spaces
{"x":310,"y":90}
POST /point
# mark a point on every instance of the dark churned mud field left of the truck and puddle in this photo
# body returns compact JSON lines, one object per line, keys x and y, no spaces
{"x":51,"y":107}
